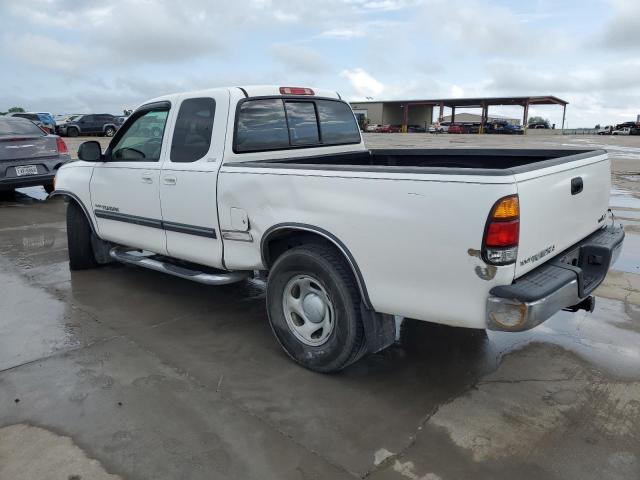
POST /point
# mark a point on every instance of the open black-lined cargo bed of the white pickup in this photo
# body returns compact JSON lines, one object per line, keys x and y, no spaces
{"x":464,"y":161}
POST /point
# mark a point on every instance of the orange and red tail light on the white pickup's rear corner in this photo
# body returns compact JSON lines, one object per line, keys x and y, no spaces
{"x":502,"y":233}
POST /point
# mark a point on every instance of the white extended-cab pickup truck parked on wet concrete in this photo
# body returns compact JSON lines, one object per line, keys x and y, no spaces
{"x":219,"y":185}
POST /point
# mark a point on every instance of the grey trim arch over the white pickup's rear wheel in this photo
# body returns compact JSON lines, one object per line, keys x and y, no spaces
{"x":281,"y":237}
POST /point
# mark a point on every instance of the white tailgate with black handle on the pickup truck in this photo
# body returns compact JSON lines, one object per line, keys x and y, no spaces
{"x":555,"y":212}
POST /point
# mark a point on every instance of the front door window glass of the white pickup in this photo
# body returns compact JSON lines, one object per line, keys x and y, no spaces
{"x":142,"y":141}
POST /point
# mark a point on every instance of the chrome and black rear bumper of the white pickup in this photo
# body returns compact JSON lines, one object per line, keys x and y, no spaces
{"x":563,"y":282}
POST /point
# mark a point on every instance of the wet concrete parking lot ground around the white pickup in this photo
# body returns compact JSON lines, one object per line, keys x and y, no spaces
{"x":125,"y":373}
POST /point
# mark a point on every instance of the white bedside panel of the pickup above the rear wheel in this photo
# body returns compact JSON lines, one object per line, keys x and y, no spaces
{"x":415,"y":238}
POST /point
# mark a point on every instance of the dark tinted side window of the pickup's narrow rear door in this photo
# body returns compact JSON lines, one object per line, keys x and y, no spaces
{"x":192,"y":133}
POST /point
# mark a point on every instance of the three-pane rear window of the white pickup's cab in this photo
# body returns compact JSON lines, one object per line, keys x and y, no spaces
{"x":285,"y":123}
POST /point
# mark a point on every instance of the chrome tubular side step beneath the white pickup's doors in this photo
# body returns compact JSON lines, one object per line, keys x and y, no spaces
{"x":151,"y":261}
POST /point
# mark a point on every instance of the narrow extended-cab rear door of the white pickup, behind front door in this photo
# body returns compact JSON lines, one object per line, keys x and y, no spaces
{"x":188,"y":183}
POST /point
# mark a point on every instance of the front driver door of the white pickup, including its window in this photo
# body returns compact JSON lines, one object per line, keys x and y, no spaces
{"x":125,"y":191}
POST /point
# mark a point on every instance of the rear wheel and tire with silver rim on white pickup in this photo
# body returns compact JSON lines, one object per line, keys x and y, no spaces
{"x":341,"y":340}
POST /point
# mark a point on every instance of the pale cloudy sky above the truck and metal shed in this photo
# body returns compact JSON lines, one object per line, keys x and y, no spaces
{"x":69,"y":56}
